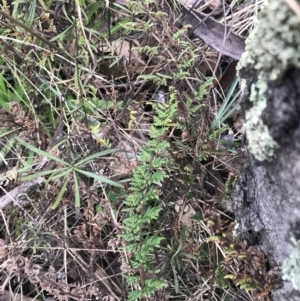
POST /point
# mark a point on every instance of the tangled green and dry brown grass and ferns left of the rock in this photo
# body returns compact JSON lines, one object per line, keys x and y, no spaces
{"x":130,"y":204}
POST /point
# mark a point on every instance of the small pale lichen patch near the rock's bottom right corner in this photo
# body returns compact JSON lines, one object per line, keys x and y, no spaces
{"x":291,"y":266}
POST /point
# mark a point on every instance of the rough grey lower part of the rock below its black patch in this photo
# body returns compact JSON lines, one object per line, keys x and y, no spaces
{"x":266,"y":204}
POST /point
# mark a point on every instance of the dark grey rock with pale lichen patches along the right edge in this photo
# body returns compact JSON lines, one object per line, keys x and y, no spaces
{"x":267,"y":196}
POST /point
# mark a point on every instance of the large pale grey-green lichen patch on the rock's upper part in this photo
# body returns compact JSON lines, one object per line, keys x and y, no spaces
{"x":272,"y":48}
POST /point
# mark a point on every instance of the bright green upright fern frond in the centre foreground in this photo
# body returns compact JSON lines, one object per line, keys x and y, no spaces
{"x":142,"y":204}
